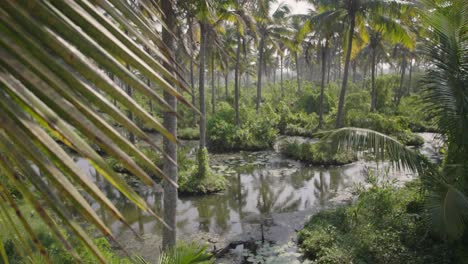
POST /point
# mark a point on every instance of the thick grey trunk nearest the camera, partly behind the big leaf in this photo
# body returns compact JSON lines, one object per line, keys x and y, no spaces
{"x":170,"y":122}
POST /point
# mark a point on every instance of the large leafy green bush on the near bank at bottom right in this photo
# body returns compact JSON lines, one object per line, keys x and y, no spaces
{"x":385,"y":225}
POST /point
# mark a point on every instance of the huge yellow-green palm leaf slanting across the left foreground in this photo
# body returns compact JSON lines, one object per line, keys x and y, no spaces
{"x":53,"y":59}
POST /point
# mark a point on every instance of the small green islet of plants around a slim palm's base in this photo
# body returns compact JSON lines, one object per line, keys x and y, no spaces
{"x":194,"y":179}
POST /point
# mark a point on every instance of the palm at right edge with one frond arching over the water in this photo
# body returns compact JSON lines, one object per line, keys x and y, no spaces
{"x":446,"y":98}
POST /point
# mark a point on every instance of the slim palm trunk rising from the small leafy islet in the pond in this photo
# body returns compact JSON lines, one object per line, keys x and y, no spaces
{"x":201,"y":85}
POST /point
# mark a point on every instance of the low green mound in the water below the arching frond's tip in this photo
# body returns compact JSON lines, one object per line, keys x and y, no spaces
{"x":316,"y":153}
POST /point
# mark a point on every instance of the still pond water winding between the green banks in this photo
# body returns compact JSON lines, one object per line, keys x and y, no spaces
{"x":267,"y":195}
